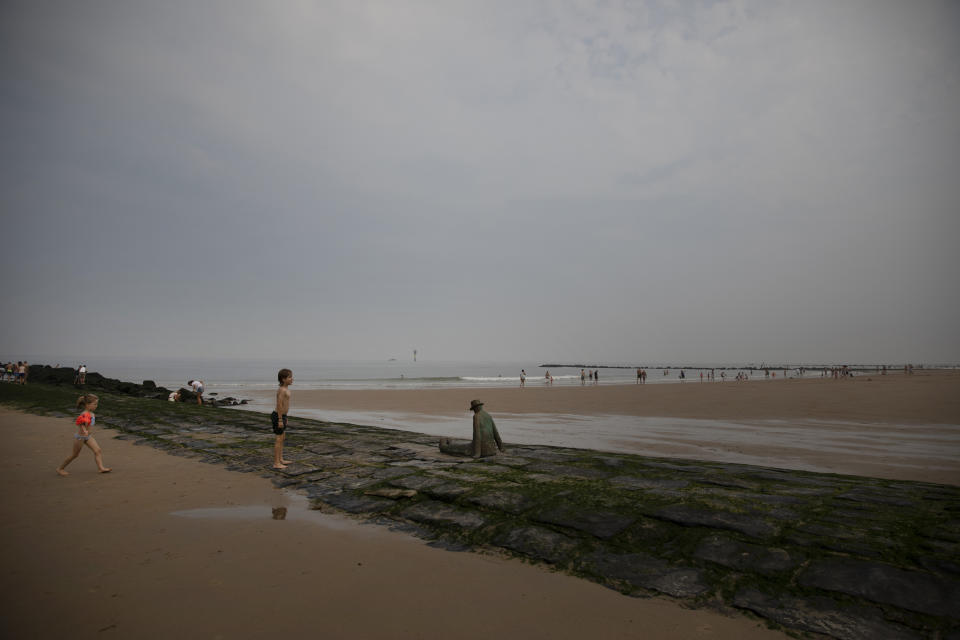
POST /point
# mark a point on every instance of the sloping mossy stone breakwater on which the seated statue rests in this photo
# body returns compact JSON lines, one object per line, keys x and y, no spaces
{"x":817,"y":555}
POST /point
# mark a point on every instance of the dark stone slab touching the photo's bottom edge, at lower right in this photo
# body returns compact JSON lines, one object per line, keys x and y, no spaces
{"x":822,"y":615}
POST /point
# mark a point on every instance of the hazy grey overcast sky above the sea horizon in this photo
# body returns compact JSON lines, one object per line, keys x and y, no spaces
{"x":602,"y":181}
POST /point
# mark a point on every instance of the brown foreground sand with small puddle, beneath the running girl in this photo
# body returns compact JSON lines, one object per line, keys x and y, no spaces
{"x":101,"y":556}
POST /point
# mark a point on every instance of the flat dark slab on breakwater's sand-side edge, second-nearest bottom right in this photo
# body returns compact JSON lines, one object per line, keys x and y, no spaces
{"x":643,"y":571}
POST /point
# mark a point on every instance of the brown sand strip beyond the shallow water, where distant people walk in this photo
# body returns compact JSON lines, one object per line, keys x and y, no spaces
{"x":923,"y":398}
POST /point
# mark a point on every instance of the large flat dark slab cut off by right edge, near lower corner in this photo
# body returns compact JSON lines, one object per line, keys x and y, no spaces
{"x":912,"y":590}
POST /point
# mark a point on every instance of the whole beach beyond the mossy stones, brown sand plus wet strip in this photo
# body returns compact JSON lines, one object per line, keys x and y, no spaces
{"x":894,"y":426}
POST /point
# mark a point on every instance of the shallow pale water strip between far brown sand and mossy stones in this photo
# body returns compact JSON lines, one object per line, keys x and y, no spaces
{"x":916,"y":452}
